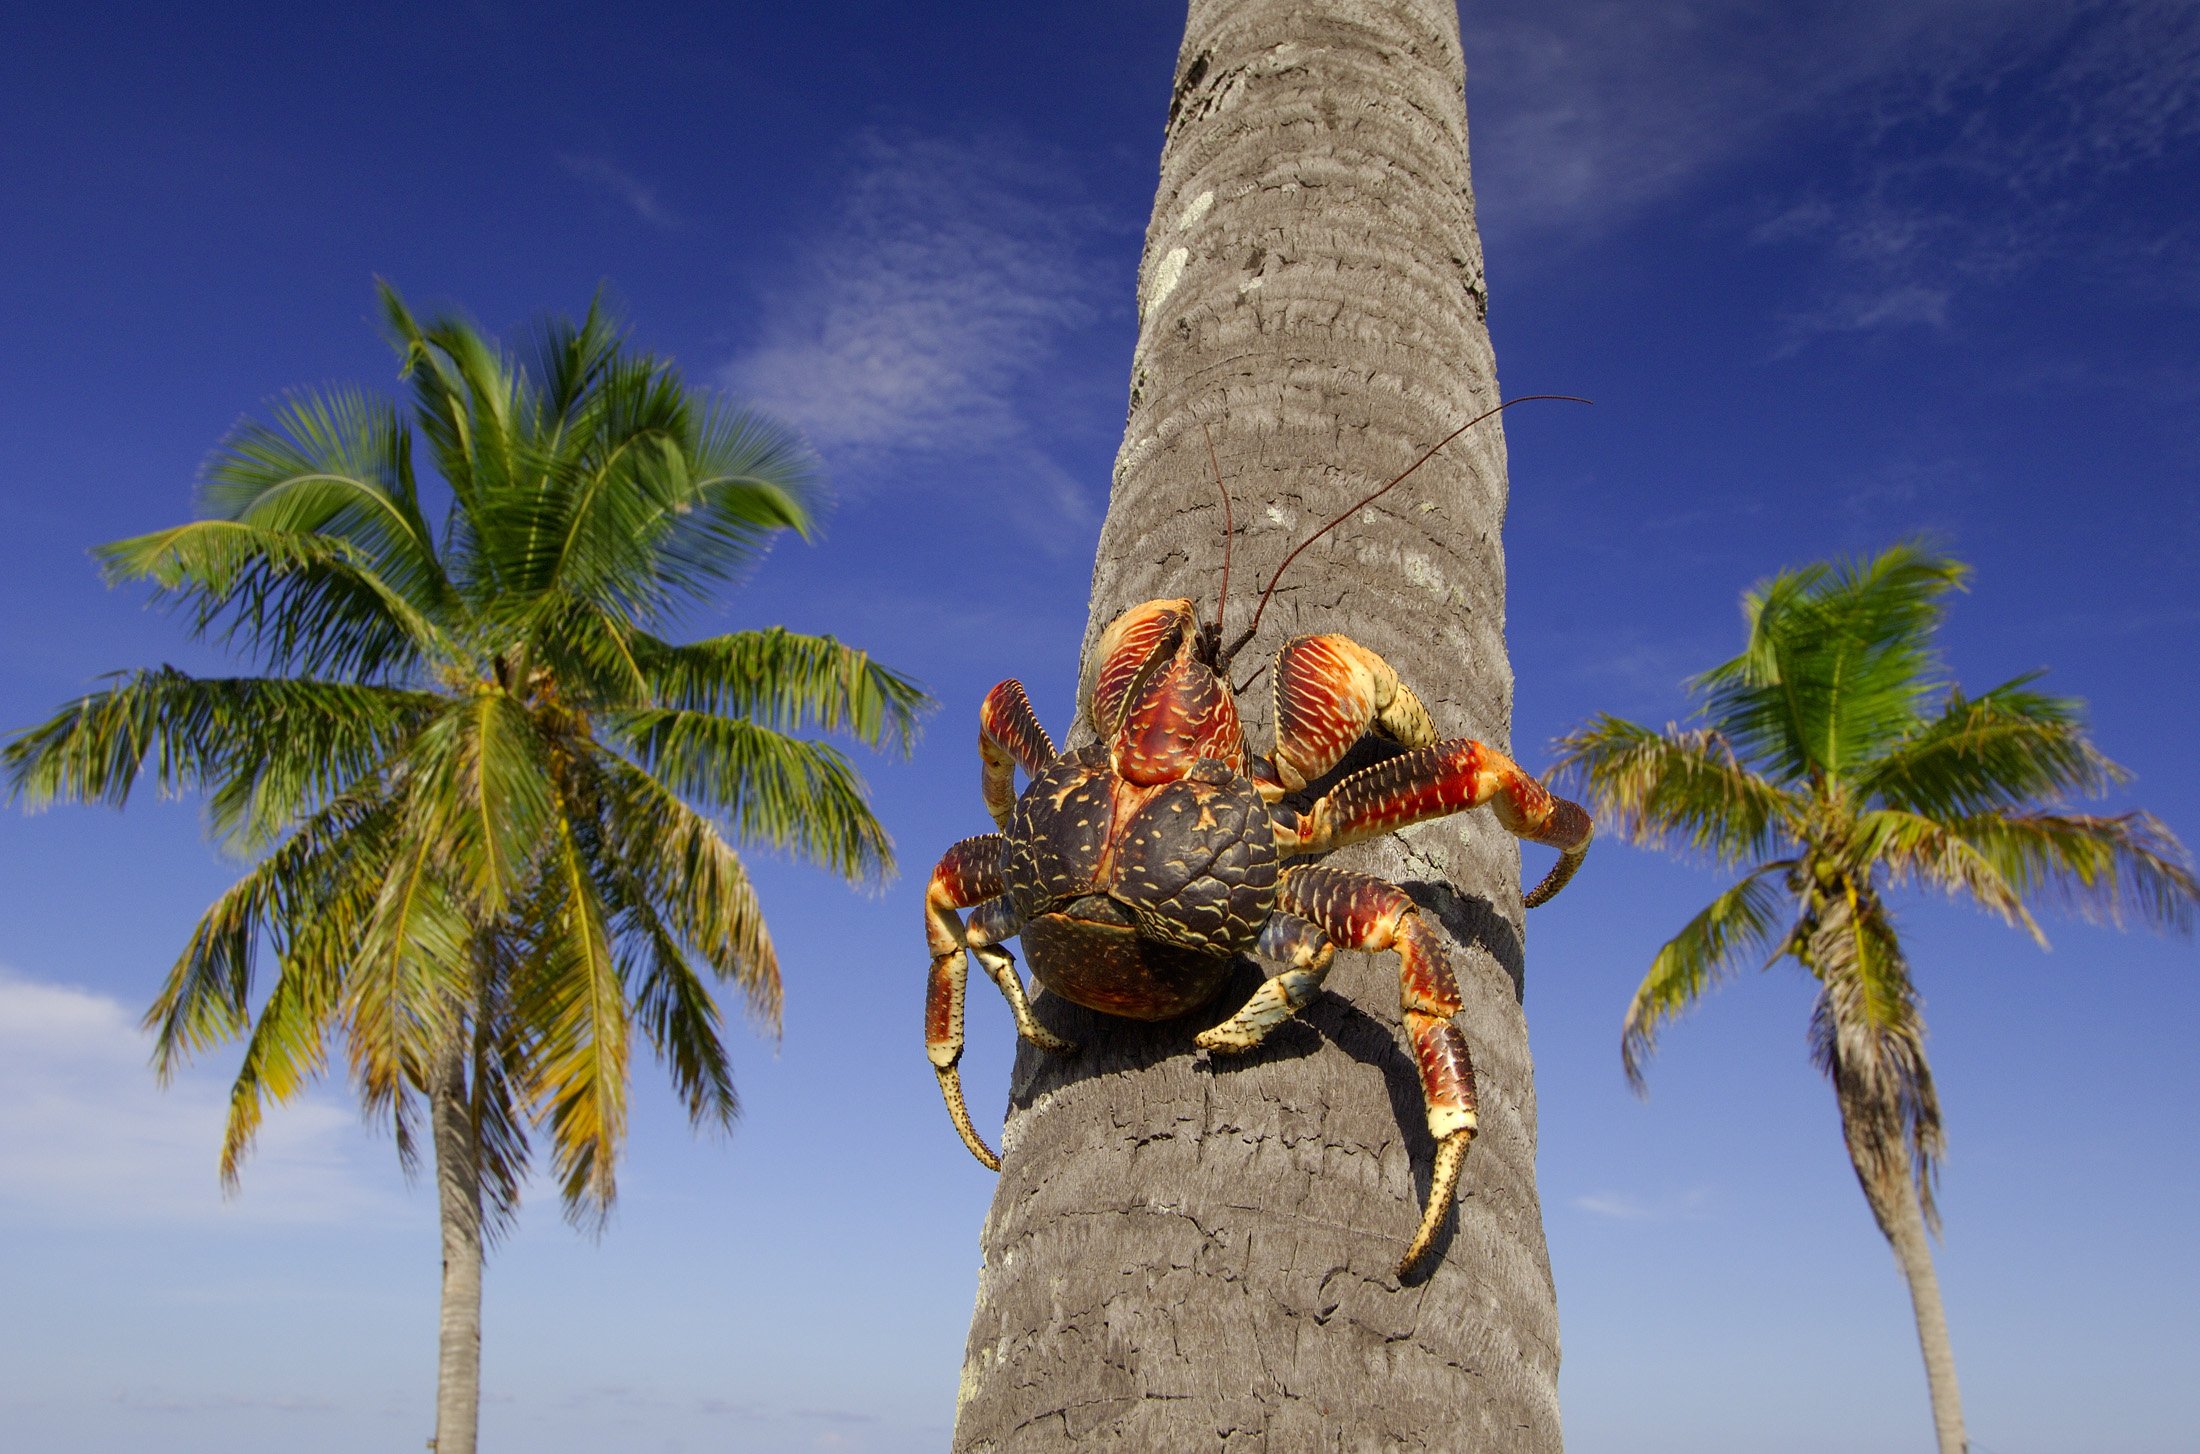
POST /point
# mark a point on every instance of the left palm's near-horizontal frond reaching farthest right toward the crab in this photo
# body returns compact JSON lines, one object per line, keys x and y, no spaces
{"x":789,"y":683}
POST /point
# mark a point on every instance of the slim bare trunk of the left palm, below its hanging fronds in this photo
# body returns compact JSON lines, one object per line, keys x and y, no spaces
{"x":459,"y":1193}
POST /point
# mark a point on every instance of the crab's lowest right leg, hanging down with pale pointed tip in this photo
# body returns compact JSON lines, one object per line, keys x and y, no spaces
{"x":1367,"y":914}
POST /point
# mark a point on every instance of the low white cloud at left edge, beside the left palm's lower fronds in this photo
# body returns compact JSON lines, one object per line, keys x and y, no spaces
{"x":91,"y":1138}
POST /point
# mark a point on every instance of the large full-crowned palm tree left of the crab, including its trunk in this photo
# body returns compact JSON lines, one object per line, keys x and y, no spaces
{"x":494,"y":808}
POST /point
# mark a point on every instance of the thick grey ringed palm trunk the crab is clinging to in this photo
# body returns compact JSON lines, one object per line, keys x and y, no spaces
{"x":1193,"y":1253}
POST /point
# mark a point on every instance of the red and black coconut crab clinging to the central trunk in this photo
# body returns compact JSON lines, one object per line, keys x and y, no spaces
{"x":1143,"y":863}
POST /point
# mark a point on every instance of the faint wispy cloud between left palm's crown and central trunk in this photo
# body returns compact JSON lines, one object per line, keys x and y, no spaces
{"x":921,"y":320}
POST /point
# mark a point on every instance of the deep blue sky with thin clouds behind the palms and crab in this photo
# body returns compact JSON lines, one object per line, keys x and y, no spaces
{"x":1834,"y":274}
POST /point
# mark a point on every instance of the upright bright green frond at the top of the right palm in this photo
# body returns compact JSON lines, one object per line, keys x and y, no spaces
{"x":1838,"y":663}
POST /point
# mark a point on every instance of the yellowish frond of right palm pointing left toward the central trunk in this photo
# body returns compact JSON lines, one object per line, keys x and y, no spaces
{"x":1675,"y":789}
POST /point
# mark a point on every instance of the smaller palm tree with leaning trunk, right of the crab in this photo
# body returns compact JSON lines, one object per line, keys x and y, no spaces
{"x":1834,"y":767}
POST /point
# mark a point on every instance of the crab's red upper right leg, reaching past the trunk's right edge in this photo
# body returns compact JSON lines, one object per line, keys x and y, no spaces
{"x":1442,"y":780}
